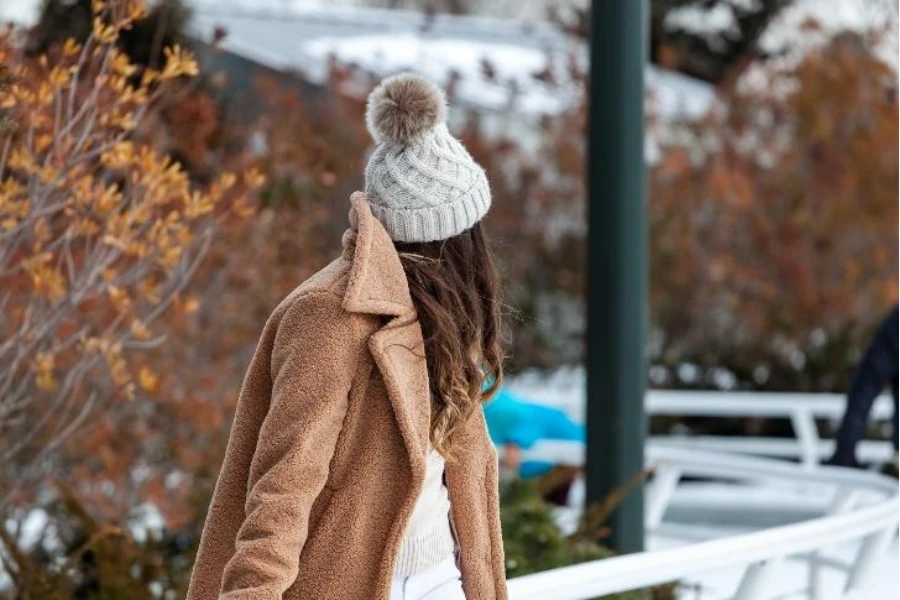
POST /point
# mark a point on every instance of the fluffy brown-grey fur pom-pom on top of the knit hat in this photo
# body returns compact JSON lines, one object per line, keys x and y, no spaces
{"x":403,"y":108}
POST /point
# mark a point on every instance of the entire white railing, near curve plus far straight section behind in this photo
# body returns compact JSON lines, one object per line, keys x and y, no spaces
{"x":851,"y":515}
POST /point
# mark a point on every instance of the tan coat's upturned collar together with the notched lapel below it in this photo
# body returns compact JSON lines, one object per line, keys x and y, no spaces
{"x":377,"y":285}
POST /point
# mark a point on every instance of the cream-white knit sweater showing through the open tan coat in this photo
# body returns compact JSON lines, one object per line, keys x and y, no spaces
{"x":428,"y":538}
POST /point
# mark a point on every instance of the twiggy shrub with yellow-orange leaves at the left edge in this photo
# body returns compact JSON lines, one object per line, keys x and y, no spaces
{"x":100,"y":231}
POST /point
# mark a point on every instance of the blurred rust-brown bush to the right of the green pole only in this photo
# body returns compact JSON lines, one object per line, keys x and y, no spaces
{"x":774,"y":230}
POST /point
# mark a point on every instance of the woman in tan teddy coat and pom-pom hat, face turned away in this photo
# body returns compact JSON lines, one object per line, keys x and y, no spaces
{"x":359,"y":465}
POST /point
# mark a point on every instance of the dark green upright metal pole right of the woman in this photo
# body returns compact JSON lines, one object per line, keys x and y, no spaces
{"x":617,"y":273}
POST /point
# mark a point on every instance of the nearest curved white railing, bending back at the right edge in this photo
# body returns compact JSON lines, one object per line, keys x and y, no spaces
{"x":759,"y":552}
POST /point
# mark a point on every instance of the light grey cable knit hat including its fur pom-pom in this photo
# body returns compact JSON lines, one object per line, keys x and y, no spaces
{"x":421,"y":183}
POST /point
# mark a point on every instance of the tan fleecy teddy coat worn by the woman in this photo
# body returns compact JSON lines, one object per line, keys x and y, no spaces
{"x":327,"y":452}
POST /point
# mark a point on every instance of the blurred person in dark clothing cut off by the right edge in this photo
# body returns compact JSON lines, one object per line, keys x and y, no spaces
{"x":877,"y":370}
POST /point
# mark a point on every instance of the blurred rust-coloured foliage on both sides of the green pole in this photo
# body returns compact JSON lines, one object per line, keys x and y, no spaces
{"x":772,"y":227}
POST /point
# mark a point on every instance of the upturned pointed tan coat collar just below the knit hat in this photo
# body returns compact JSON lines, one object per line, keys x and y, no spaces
{"x":377,"y":283}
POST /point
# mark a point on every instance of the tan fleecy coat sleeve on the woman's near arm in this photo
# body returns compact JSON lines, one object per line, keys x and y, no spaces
{"x":315,"y":354}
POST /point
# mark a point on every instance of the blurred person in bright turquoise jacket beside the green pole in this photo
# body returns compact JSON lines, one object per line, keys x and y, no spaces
{"x":517,"y":425}
